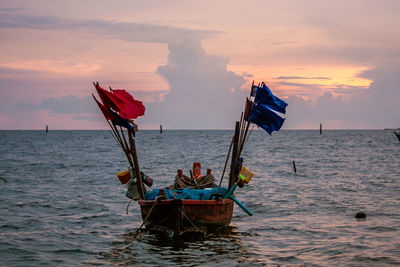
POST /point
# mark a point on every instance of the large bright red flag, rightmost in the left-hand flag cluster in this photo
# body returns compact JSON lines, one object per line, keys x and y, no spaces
{"x":128,"y":107}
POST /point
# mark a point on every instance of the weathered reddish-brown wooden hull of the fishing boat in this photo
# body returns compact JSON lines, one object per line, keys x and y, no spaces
{"x":179,"y":215}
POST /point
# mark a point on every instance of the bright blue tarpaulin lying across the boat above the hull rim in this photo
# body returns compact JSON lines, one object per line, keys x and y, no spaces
{"x":186,"y":193}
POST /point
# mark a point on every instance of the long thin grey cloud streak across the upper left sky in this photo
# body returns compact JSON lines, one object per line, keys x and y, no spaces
{"x":132,"y":32}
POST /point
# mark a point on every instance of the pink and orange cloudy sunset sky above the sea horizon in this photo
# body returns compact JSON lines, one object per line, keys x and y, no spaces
{"x":192,"y":62}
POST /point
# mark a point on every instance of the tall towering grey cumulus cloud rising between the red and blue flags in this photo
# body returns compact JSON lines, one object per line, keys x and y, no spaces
{"x":203,"y":93}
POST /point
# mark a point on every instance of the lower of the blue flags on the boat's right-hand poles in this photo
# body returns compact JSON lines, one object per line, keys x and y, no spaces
{"x":266,"y":118}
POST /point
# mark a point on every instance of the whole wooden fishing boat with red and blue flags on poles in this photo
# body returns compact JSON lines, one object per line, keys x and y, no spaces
{"x":192,"y":203}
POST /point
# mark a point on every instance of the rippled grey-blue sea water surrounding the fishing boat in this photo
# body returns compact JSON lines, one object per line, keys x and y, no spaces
{"x":62,"y":205}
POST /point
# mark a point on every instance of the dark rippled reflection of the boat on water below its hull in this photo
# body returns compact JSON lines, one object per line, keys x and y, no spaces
{"x":151,"y":248}
